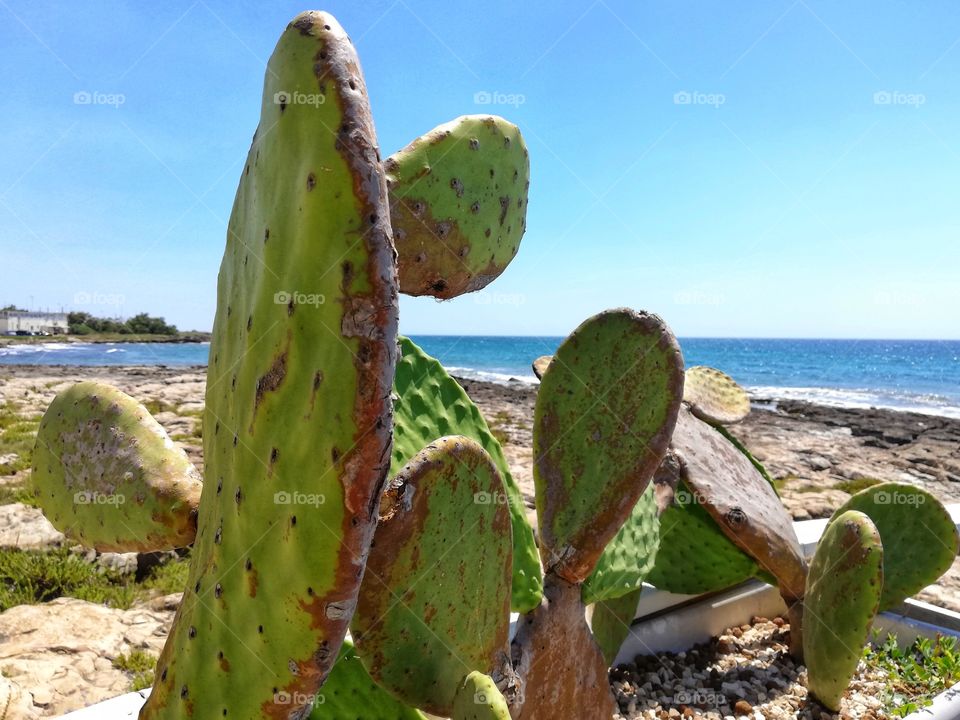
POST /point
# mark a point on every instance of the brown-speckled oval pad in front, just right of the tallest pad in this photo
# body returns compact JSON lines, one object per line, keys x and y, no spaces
{"x":435,"y":603}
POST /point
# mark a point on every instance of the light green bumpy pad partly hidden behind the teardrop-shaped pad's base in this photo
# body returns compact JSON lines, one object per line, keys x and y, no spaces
{"x":629,"y":557}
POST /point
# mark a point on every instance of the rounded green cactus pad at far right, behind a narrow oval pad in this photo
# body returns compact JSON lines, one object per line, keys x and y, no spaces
{"x":919,"y":537}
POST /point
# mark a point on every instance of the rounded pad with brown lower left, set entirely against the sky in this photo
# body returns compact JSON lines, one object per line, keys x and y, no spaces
{"x":458,"y":205}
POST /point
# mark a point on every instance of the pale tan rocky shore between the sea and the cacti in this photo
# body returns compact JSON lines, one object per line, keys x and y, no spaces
{"x":817,"y":455}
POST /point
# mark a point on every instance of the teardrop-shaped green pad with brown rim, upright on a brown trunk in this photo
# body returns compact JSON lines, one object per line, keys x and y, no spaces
{"x":604,"y":416}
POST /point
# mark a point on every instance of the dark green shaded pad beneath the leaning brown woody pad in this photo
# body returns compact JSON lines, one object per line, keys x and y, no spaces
{"x":694,"y":555}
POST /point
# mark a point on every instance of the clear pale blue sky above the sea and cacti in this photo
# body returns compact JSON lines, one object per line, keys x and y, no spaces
{"x":809,"y":188}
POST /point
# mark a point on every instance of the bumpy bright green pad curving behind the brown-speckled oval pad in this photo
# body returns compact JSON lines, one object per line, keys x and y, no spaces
{"x":429,"y":403}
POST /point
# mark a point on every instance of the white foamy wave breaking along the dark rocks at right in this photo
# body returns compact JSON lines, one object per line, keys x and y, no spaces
{"x":858,"y":398}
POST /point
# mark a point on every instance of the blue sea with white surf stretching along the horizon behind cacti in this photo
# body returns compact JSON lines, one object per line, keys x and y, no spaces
{"x":922,"y":376}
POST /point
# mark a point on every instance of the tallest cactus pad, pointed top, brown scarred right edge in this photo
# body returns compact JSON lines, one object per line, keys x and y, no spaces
{"x":298,"y":413}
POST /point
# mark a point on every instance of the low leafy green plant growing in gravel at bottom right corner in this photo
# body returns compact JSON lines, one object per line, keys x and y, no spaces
{"x":917,"y":674}
